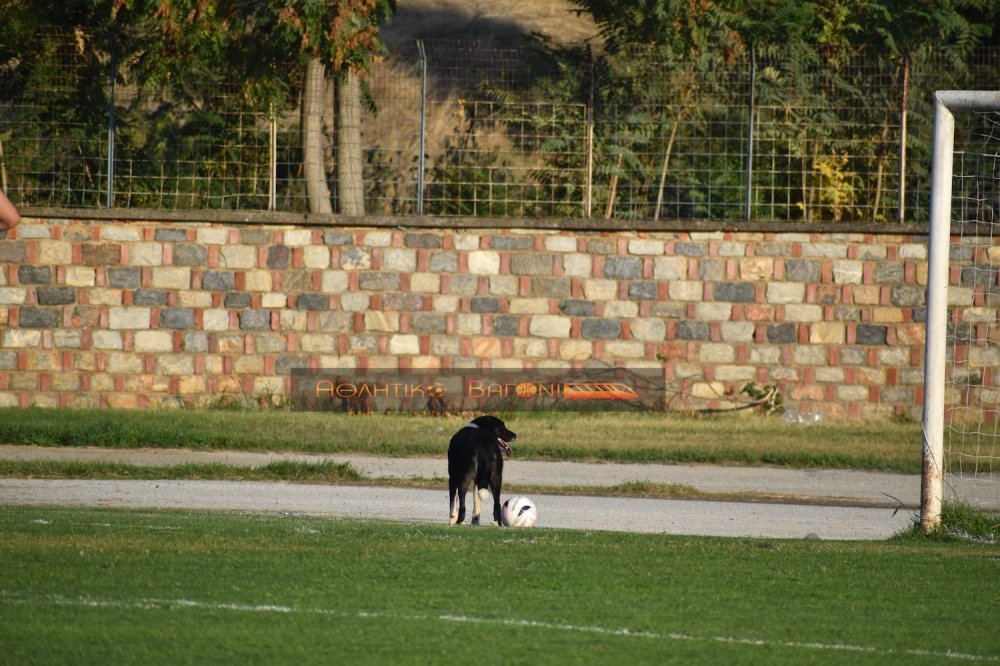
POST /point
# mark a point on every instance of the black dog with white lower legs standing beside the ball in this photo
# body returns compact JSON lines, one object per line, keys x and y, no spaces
{"x":475,"y":459}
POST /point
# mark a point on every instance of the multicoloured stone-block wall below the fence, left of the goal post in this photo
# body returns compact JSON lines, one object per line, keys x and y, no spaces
{"x":135,"y":314}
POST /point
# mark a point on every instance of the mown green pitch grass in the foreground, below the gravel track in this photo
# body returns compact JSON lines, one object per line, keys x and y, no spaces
{"x":98,"y":586}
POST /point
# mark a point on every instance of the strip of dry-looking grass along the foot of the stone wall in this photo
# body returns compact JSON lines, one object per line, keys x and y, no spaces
{"x":662,"y":438}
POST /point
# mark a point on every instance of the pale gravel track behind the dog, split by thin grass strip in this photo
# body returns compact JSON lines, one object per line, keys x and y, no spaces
{"x":732,"y":519}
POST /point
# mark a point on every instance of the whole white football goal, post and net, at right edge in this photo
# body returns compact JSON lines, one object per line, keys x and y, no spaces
{"x":961,"y":424}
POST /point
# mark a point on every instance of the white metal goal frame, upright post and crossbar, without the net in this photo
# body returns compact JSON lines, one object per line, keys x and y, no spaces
{"x":946,"y":105}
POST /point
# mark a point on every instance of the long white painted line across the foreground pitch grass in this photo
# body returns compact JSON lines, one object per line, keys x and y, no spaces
{"x":154,"y":604}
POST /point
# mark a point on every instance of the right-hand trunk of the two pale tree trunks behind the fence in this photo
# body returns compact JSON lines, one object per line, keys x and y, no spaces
{"x":350,"y":159}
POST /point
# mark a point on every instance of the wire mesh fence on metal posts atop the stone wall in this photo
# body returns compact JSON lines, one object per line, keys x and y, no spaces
{"x":457,"y":128}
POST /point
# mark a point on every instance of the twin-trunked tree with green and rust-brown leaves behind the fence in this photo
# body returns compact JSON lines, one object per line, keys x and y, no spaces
{"x":339,"y":36}
